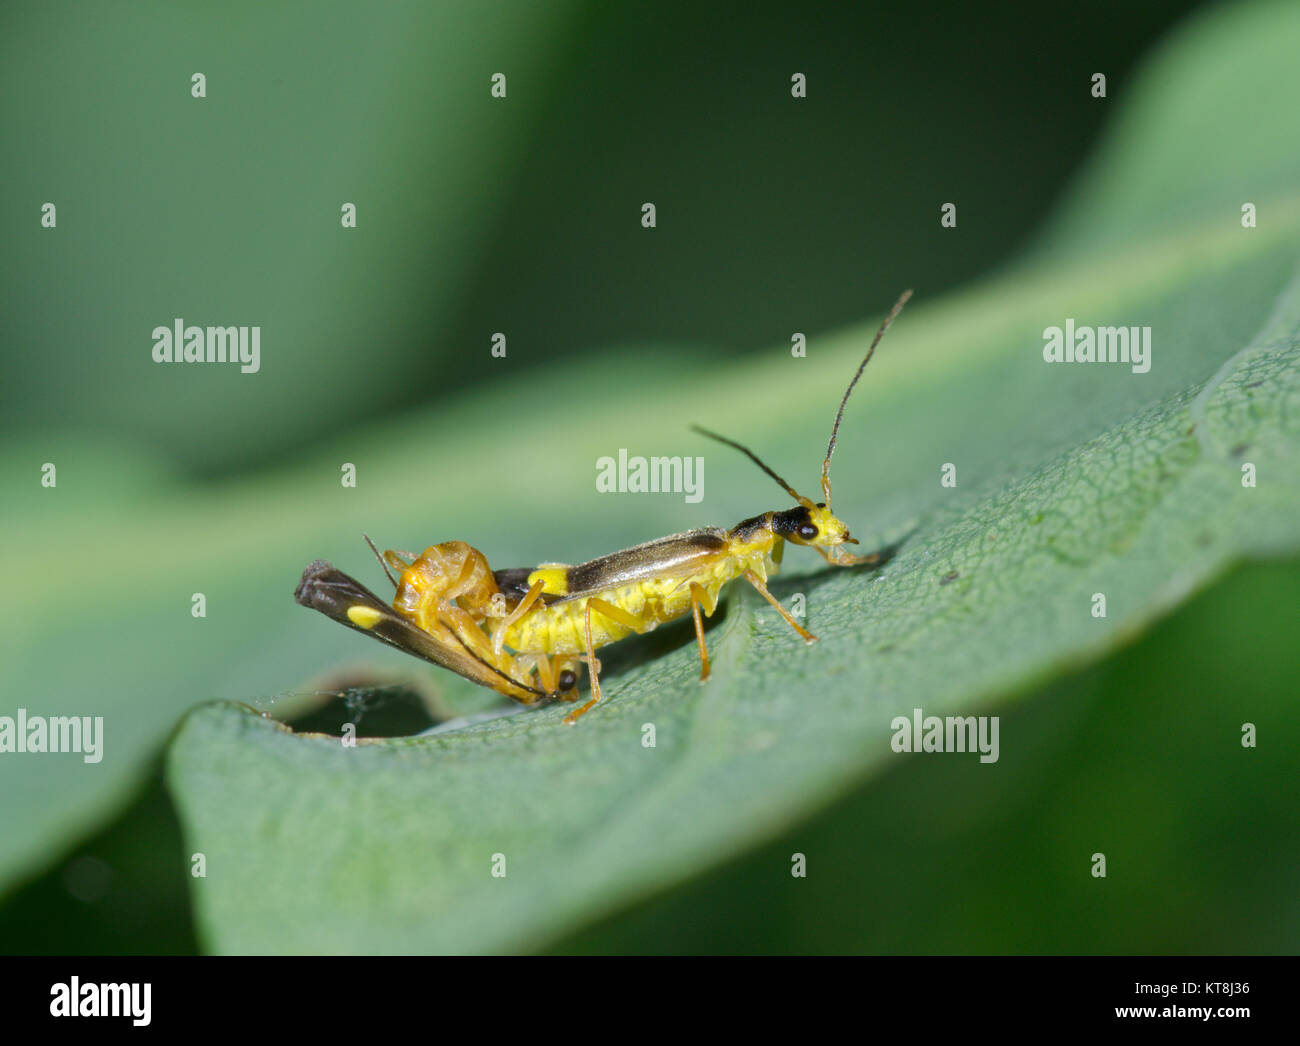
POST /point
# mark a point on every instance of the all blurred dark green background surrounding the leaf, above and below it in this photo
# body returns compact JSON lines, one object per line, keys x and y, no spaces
{"x":522,"y":216}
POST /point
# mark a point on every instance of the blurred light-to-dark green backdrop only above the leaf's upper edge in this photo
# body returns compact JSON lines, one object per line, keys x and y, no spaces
{"x":479,"y":215}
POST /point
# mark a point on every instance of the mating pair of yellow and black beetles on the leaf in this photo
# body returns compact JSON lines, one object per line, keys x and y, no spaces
{"x":527,"y":632}
